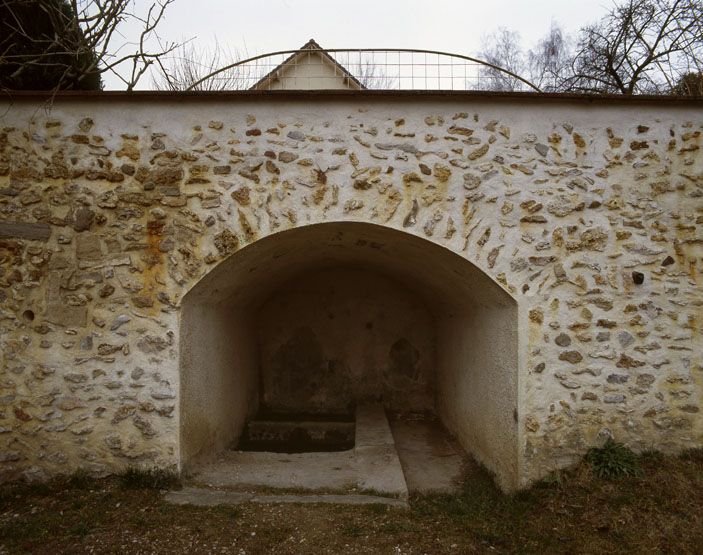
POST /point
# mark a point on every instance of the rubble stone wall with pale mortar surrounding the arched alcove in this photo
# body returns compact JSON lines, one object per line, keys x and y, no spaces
{"x":112,"y":208}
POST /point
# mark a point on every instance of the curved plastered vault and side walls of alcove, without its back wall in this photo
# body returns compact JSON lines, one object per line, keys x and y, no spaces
{"x":475,"y":325}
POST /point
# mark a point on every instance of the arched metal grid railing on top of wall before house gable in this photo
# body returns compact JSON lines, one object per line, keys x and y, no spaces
{"x":372,"y":68}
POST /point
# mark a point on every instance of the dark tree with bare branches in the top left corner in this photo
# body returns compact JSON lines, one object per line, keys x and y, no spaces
{"x":86,"y":39}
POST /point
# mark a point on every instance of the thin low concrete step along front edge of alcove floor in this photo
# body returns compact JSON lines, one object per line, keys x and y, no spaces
{"x":205,"y":497}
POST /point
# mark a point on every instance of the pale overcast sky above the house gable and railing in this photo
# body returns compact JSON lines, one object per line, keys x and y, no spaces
{"x":458,"y":26}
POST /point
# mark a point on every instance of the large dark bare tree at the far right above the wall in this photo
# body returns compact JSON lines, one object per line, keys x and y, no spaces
{"x":640,"y":46}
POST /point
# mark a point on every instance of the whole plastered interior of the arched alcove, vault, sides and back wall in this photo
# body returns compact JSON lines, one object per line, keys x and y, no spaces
{"x":463,"y":336}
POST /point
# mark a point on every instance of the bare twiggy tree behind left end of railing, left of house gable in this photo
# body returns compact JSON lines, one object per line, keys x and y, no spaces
{"x":192,"y":68}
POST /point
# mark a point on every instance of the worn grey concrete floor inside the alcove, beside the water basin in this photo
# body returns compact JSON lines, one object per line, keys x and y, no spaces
{"x":391,"y":459}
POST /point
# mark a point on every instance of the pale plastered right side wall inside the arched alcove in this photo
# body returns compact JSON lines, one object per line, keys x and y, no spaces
{"x":477,"y":393}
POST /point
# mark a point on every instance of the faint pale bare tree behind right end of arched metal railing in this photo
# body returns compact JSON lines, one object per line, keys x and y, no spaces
{"x":502,"y":49}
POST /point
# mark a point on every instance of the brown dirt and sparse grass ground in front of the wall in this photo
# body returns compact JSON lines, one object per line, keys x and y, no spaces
{"x":572,"y":512}
